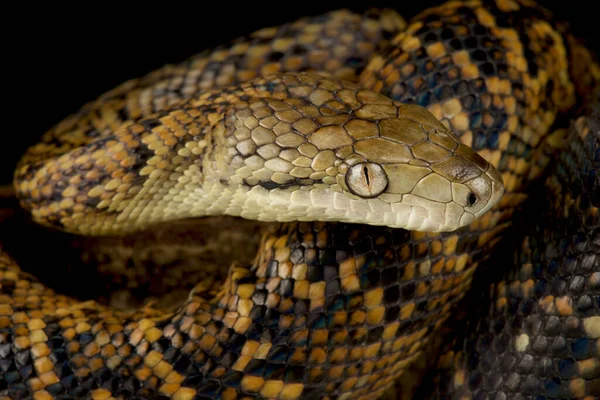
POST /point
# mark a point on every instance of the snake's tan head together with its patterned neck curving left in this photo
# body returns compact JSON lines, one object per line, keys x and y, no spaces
{"x":292,"y":147}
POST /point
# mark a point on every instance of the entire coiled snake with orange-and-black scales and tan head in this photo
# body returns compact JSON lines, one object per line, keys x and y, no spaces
{"x":332,"y":309}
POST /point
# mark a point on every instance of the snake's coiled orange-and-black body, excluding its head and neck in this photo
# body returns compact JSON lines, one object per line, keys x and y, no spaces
{"x":332,"y":310}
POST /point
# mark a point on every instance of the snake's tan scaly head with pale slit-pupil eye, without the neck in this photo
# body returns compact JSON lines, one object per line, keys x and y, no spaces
{"x":330,"y":151}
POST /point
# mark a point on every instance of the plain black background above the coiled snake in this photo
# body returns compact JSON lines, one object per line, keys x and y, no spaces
{"x":56,"y":58}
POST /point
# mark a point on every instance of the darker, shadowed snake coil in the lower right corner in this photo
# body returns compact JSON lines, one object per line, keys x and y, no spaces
{"x":539,"y":336}
